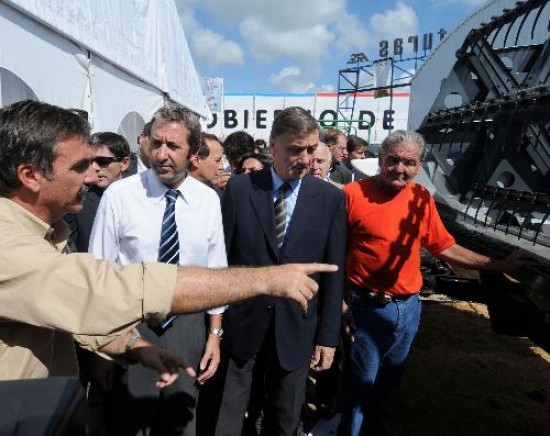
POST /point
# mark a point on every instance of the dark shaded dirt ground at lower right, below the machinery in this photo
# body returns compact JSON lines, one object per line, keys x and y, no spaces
{"x":464,"y":379}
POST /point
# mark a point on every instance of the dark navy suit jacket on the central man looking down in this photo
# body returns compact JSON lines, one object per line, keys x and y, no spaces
{"x":316,"y":233}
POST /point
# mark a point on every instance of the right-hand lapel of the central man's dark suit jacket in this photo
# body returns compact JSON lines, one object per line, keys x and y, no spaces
{"x":306,"y":208}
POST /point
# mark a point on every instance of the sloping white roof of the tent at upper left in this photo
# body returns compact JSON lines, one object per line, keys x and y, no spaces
{"x":144,"y":38}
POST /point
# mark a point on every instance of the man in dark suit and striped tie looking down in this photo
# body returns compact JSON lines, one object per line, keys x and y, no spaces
{"x":311,"y":226}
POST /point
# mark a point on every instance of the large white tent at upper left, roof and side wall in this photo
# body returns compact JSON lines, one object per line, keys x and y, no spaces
{"x":118,"y":60}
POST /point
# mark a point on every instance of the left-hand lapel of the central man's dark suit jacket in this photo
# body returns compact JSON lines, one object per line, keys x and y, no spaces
{"x":262,"y":203}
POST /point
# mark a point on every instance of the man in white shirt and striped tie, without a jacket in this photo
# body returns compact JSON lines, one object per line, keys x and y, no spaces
{"x":127,"y":230}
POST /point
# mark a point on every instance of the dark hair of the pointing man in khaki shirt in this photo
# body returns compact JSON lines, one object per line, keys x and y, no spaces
{"x":29,"y":134}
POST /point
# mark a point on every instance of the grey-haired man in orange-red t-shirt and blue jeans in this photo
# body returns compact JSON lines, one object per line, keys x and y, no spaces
{"x":389,"y":219}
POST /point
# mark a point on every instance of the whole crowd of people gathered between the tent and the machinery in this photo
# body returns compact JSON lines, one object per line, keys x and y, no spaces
{"x":128,"y":256}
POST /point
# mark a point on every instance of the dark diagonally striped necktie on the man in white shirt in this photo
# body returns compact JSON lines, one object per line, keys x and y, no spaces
{"x":169,"y":247}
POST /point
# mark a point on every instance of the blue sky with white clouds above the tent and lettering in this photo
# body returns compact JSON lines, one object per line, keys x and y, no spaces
{"x":299,"y":45}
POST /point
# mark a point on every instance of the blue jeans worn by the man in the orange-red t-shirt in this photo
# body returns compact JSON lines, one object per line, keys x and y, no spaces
{"x":374,"y":364}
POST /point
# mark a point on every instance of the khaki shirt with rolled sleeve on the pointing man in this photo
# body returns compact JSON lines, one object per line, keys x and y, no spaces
{"x":47,"y":298}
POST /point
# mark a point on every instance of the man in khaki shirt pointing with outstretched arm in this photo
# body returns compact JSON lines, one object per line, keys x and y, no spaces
{"x":48,"y":297}
